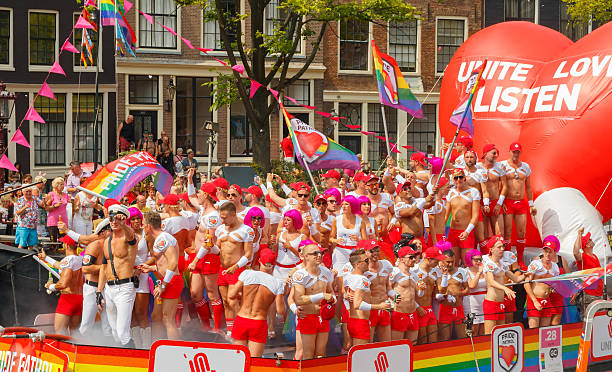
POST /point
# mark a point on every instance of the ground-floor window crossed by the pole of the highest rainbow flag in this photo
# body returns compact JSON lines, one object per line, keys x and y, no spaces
{"x":377,"y":149}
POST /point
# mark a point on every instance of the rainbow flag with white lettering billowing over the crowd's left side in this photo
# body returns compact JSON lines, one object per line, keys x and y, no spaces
{"x":117,"y":178}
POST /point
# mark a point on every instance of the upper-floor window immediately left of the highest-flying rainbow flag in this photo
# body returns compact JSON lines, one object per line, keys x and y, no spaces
{"x":354,"y":48}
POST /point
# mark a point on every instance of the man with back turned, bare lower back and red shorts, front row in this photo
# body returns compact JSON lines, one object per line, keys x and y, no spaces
{"x":258,"y":290}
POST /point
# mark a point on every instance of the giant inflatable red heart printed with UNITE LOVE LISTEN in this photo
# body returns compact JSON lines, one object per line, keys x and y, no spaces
{"x":546,"y":92}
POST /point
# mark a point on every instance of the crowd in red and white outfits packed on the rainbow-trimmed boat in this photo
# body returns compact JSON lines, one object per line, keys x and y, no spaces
{"x":372,"y":251}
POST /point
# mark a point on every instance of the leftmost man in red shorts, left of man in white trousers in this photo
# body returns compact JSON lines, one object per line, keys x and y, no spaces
{"x":70,"y":284}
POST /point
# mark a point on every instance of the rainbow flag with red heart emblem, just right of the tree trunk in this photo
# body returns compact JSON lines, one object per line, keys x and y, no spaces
{"x":318,"y":150}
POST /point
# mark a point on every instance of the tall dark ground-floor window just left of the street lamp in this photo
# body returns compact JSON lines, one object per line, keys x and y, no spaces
{"x":193,"y":100}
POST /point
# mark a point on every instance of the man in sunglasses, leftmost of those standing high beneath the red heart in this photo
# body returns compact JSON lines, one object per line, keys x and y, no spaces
{"x":463,"y":205}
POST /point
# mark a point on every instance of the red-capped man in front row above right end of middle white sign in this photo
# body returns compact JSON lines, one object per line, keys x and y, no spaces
{"x":405,"y":318}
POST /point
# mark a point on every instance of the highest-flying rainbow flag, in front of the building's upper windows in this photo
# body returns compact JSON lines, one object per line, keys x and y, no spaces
{"x":393,"y":89}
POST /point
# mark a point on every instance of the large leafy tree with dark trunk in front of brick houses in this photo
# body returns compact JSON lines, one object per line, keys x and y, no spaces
{"x":301,"y":20}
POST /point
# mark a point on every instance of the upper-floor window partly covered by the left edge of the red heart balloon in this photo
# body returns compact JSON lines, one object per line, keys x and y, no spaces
{"x":450,"y":34}
